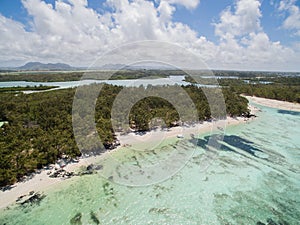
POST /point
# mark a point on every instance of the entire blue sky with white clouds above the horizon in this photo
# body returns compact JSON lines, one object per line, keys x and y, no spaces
{"x":225,"y":34}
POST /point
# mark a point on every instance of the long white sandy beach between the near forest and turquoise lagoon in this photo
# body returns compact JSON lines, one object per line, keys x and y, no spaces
{"x":41,"y":181}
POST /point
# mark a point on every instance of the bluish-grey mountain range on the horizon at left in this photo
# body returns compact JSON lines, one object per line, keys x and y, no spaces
{"x":37,"y":66}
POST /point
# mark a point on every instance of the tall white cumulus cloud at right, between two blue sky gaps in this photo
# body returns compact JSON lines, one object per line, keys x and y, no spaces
{"x":243,"y":41}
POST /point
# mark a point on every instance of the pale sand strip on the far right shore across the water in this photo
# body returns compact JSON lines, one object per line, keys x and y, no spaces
{"x":274,"y":103}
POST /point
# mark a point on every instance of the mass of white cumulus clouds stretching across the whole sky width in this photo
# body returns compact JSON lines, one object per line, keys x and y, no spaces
{"x":71,"y":32}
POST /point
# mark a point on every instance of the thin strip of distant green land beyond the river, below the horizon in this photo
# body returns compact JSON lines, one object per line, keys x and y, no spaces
{"x":51,"y":76}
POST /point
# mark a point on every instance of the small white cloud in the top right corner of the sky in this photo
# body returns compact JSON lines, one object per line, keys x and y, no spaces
{"x":292,"y":21}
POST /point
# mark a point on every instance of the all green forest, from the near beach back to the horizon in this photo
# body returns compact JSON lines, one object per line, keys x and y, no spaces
{"x":38,"y":127}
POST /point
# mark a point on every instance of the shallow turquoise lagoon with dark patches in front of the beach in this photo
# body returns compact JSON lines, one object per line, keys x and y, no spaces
{"x":255,"y":177}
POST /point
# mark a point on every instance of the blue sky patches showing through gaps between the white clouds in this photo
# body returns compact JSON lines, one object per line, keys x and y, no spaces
{"x":199,"y":19}
